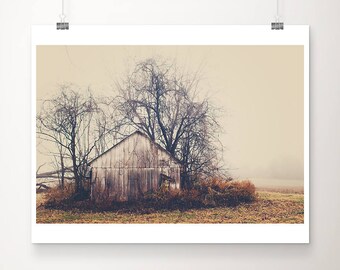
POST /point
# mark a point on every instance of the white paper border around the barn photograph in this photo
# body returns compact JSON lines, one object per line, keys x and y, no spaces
{"x":171,"y":233}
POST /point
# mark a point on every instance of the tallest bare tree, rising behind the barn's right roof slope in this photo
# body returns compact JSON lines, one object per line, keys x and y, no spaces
{"x":163,"y":102}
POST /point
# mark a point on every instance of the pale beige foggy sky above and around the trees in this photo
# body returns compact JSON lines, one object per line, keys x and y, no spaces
{"x":260,"y":89}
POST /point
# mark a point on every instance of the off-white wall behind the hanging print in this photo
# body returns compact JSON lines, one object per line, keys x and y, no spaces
{"x":16,"y":251}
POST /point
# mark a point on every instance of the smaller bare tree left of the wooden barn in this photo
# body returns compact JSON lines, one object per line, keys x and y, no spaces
{"x":67,"y":120}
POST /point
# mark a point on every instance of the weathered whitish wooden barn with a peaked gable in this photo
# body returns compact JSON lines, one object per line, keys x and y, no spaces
{"x":132,"y":167}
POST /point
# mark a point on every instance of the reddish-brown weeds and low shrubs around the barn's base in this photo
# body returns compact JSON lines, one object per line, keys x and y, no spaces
{"x":206,"y":194}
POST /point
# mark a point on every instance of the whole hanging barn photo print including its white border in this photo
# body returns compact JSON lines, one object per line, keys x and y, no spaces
{"x":170,"y":134}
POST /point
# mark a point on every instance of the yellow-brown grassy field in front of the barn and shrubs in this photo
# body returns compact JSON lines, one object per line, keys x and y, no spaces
{"x":270,"y":207}
